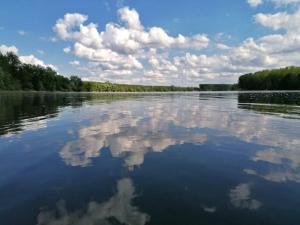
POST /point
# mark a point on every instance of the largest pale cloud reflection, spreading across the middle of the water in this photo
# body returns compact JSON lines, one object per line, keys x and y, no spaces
{"x":132,"y":128}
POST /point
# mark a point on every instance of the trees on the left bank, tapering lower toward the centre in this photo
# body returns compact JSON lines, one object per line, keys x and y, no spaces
{"x":15,"y":75}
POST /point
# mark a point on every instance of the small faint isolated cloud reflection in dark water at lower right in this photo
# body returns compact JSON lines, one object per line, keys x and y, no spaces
{"x":240,"y":197}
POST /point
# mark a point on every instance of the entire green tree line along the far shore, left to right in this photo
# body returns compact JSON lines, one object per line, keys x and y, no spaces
{"x":15,"y":75}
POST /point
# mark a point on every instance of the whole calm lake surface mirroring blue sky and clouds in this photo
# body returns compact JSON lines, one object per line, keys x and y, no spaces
{"x":165,"y":159}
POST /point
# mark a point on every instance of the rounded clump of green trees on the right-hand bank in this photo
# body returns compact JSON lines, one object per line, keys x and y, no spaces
{"x":278,"y":79}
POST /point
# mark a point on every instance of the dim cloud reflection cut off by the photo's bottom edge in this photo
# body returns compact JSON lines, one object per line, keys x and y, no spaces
{"x":117,"y":210}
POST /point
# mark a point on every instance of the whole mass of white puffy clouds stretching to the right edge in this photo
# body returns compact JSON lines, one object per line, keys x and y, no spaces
{"x":129,"y":52}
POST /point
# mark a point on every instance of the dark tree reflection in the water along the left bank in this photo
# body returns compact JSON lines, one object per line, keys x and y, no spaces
{"x":29,"y":111}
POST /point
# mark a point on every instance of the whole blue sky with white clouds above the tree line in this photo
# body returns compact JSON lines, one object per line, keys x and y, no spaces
{"x":219,"y":40}
